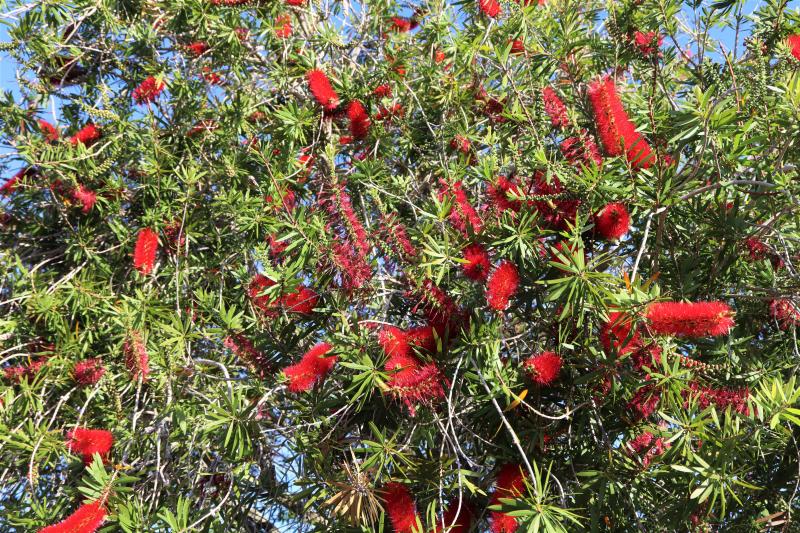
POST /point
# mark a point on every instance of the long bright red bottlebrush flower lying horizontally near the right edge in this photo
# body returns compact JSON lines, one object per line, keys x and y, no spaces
{"x":695,"y":319}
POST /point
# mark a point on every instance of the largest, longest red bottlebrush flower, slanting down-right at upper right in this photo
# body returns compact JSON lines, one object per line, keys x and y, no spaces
{"x":617,"y":133}
